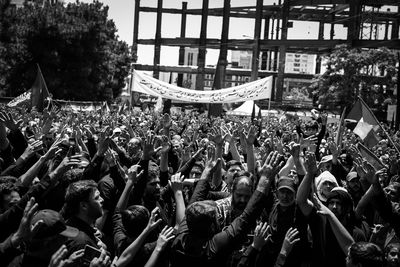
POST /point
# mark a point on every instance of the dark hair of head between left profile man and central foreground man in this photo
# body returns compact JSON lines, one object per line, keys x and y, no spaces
{"x":135,"y":219}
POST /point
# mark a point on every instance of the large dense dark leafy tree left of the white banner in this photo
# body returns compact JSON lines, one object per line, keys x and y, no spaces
{"x":76,"y":46}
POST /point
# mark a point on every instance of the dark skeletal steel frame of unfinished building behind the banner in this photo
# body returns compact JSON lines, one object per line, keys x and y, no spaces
{"x":368,"y":26}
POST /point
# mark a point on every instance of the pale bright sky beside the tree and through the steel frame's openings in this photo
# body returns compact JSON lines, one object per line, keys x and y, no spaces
{"x":122,"y":13}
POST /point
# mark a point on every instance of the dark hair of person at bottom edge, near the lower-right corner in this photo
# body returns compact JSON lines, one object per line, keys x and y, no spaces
{"x":366,"y":254}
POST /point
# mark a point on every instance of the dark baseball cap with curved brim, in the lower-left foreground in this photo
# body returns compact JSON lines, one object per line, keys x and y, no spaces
{"x":53,"y":224}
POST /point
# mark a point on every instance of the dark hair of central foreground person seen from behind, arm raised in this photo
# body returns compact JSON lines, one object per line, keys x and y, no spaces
{"x":201,"y":218}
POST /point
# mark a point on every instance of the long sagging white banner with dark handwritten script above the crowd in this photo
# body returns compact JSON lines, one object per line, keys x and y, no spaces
{"x":260,"y":89}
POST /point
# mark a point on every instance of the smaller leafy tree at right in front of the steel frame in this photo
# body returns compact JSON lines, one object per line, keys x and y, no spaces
{"x":356,"y":72}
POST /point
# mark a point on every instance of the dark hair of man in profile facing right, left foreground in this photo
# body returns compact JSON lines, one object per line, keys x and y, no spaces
{"x":76,"y":193}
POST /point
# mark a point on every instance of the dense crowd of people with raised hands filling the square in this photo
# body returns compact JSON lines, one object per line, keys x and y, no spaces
{"x":149,"y":189}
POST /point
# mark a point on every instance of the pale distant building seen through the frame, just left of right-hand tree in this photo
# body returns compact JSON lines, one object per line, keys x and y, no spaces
{"x":300,"y":63}
